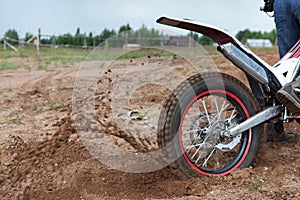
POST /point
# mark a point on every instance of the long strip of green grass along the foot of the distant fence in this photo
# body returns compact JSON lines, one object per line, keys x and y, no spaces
{"x":68,"y":55}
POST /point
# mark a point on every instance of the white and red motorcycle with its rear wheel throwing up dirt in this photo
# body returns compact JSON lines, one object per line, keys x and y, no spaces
{"x":213,"y":123}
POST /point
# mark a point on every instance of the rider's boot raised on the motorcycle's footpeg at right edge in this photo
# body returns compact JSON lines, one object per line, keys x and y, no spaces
{"x":289,"y":95}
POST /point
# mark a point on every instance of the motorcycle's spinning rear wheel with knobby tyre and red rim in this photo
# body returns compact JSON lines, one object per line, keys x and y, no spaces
{"x":193,"y":118}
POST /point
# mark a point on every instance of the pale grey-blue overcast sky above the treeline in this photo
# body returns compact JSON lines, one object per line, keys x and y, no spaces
{"x":64,"y":16}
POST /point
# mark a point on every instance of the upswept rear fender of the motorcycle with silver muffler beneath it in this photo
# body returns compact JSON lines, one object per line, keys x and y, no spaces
{"x":233,"y":50}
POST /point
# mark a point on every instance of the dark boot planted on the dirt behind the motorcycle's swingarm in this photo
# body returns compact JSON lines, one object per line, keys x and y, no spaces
{"x":276,"y":133}
